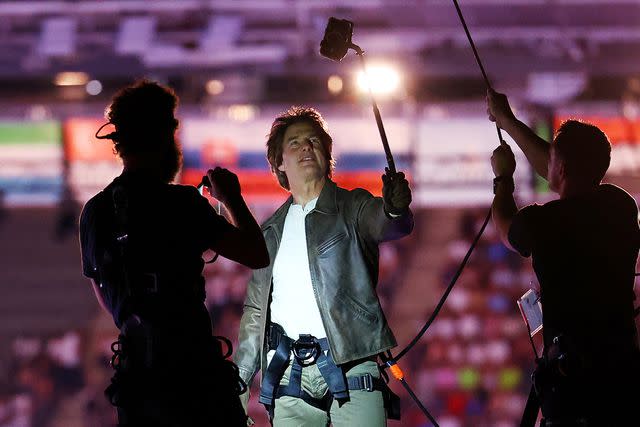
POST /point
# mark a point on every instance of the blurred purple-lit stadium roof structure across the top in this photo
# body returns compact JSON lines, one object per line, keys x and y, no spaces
{"x":590,"y":45}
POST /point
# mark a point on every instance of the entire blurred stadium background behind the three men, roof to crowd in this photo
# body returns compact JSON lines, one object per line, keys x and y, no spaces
{"x":235,"y":64}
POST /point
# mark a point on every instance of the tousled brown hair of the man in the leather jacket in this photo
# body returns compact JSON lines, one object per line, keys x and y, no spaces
{"x":276,"y":136}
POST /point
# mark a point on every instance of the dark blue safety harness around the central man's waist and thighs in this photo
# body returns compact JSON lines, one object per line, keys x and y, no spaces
{"x":307,"y":351}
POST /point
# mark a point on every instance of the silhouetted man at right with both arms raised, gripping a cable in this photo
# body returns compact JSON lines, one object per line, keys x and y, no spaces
{"x":584,"y":248}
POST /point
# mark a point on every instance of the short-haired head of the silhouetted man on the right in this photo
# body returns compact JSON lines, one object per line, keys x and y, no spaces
{"x":584,"y":149}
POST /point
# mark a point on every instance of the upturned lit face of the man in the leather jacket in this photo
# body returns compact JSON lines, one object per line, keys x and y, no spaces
{"x":303,"y":154}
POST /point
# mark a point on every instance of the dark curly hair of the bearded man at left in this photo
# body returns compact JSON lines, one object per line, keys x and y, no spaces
{"x":143,"y":115}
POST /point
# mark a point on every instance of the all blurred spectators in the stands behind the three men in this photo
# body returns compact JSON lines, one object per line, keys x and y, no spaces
{"x":472,"y":367}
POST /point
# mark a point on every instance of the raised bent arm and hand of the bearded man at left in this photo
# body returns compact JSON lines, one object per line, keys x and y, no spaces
{"x":244,"y":243}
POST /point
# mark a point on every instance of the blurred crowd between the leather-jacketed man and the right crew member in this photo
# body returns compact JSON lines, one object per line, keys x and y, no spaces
{"x":473,"y":366}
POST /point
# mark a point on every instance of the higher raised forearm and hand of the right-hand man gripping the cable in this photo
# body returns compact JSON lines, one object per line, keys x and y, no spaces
{"x":535,"y":148}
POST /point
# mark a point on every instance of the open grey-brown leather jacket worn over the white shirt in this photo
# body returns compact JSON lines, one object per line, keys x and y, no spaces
{"x":343,"y":233}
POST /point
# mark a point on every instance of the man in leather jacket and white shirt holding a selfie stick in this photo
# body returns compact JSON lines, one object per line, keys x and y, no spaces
{"x":320,"y":287}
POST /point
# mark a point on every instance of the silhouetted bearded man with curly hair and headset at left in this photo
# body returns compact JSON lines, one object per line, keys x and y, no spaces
{"x":142,"y":242}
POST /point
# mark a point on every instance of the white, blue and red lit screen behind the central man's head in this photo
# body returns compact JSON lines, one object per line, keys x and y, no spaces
{"x":240,"y":146}
